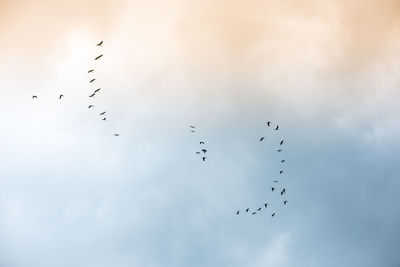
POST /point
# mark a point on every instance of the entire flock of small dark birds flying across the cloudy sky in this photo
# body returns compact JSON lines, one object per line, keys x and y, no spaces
{"x":202,"y":152}
